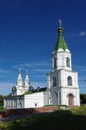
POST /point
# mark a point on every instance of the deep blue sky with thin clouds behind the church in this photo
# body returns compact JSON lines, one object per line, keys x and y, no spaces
{"x":28,"y":33}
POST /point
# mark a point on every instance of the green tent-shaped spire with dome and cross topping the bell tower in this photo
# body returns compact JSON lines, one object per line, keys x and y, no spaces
{"x":60,"y":43}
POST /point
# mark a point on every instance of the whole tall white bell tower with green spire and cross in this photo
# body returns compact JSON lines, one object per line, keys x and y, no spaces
{"x":62,"y":81}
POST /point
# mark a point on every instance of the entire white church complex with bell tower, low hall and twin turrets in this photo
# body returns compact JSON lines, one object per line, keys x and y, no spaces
{"x":62,"y":88}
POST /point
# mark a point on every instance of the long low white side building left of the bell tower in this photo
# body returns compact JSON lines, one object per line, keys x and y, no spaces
{"x":26,"y":101}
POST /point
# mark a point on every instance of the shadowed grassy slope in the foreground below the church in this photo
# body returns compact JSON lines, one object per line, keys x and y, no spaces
{"x":58,"y":120}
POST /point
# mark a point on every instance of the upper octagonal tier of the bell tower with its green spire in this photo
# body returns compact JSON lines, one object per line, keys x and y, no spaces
{"x":62,"y":59}
